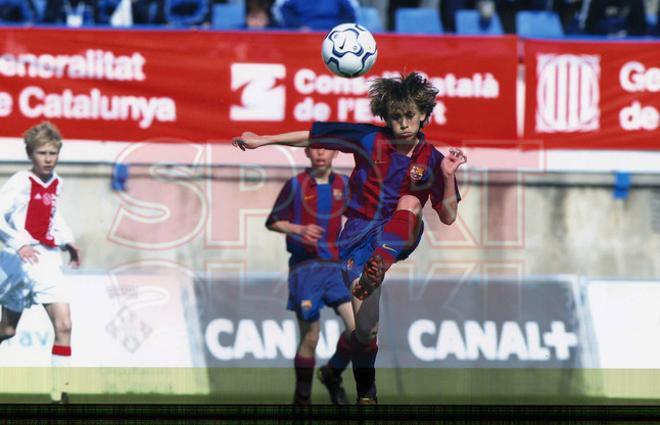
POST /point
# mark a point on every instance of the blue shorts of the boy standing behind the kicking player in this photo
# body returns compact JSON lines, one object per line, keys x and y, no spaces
{"x":314,"y":284}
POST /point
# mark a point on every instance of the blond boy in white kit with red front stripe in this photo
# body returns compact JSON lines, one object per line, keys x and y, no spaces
{"x":34,"y":234}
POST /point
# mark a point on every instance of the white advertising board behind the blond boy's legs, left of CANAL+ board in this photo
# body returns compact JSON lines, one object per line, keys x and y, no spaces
{"x":122,"y":320}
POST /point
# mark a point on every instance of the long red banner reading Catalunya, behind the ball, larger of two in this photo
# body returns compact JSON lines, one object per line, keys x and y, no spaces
{"x":209,"y":86}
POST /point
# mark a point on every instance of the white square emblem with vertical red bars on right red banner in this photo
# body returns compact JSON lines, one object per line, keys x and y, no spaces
{"x":568,"y":93}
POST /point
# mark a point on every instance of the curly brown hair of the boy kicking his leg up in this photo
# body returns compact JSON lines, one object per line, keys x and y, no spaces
{"x":390,"y":94}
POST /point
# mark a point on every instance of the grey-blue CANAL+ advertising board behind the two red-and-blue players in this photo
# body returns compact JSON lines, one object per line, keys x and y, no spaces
{"x":438,"y":324}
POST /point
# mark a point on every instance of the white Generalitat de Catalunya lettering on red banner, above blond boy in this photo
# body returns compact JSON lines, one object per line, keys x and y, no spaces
{"x":89,"y":101}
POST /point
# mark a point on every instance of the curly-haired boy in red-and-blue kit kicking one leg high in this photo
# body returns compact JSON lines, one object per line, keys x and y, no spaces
{"x":396,"y":172}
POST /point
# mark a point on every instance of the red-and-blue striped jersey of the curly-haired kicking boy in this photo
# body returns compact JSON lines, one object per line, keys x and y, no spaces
{"x":382,"y":175}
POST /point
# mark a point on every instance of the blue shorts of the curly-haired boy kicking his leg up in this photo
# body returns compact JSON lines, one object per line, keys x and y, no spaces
{"x":358,"y":240}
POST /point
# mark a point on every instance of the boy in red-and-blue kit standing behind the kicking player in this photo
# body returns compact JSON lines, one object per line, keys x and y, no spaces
{"x":309,"y":210}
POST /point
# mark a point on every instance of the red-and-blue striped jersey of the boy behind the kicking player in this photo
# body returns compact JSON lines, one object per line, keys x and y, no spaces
{"x":303,"y":201}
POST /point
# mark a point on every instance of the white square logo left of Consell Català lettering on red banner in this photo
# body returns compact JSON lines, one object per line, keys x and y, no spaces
{"x":262,"y":97}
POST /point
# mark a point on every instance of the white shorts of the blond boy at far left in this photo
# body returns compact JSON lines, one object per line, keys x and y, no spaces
{"x":28,"y":284}
